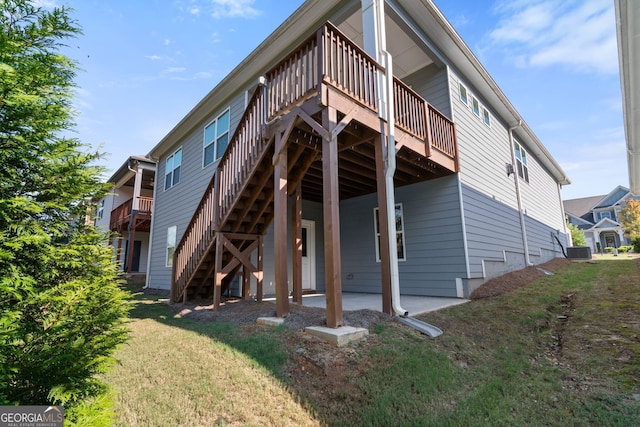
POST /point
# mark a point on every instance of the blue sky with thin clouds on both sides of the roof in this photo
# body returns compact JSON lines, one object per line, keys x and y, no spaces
{"x":145,"y":64}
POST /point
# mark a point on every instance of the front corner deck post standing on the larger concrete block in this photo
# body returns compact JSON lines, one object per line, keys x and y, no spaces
{"x":331,"y":212}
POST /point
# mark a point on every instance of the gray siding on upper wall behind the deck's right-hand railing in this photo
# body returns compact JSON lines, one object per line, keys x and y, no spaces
{"x":431,"y":83}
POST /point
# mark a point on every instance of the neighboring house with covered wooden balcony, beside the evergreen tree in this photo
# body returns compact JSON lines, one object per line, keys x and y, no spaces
{"x":127,"y":212}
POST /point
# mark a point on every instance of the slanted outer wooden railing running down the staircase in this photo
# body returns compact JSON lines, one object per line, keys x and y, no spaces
{"x":245,"y":148}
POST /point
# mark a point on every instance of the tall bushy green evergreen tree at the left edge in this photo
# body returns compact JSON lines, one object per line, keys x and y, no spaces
{"x":62,"y":311}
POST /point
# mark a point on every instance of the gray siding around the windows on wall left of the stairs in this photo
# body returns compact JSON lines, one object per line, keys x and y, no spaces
{"x":176,"y":205}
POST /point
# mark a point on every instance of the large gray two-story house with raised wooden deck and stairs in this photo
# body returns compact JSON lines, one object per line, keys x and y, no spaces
{"x":276,"y":177}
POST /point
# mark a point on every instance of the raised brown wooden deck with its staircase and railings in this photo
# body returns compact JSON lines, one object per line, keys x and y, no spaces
{"x":314,"y":132}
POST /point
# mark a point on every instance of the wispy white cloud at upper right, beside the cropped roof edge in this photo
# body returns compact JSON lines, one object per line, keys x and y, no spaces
{"x":576,"y":34}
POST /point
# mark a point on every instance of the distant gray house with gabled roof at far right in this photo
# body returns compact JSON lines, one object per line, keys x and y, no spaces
{"x":598,"y":218}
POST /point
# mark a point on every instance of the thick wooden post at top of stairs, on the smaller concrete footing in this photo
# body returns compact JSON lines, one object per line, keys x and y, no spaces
{"x":280,"y":230}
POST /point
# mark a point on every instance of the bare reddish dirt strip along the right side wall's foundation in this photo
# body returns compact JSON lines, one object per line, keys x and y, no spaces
{"x":517,"y":279}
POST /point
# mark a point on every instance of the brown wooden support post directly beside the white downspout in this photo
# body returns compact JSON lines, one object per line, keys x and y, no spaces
{"x":385,"y":259}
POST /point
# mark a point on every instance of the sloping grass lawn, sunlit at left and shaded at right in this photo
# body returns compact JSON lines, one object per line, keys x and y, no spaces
{"x":508,"y":360}
